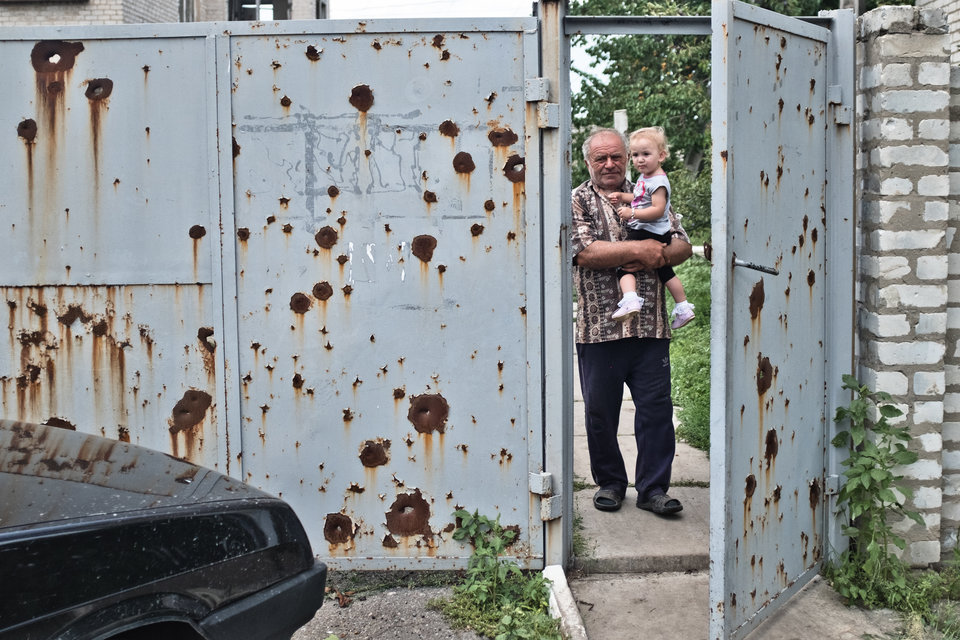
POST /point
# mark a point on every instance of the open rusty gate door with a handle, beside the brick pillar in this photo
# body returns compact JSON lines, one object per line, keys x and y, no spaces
{"x":777,"y":108}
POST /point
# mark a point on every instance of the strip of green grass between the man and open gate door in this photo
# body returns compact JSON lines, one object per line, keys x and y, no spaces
{"x":690,"y":358}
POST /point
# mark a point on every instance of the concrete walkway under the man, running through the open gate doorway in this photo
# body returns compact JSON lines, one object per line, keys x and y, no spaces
{"x":644,"y":576}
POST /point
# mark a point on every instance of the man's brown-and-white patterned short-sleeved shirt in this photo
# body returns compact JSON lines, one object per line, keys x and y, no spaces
{"x":598,"y":290}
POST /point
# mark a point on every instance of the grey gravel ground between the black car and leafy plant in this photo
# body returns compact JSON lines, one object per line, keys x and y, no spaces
{"x":384,"y":605}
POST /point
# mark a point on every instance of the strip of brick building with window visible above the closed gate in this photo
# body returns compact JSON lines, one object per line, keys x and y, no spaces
{"x":64,"y":12}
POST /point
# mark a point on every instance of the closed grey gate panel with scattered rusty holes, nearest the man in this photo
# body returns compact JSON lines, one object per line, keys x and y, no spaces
{"x":386,"y":265}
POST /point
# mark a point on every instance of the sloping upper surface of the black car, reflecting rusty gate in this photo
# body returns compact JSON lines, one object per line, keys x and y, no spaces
{"x":50,"y":474}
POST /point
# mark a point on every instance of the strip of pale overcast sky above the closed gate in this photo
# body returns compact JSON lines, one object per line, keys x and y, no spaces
{"x":429,"y":8}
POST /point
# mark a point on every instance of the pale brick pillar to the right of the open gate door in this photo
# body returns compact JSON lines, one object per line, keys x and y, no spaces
{"x":903,"y":109}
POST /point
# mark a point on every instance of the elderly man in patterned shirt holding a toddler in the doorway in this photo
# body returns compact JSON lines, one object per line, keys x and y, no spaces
{"x":635,"y":352}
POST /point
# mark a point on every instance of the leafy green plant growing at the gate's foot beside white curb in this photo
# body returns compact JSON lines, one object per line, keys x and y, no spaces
{"x":497,"y":598}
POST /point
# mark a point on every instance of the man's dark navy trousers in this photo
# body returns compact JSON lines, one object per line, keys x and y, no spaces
{"x":644,"y":365}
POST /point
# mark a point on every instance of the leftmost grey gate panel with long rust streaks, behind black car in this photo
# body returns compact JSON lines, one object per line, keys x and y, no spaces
{"x":110,"y":221}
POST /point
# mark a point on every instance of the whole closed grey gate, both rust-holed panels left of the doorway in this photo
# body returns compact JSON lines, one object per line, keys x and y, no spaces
{"x":301,"y":252}
